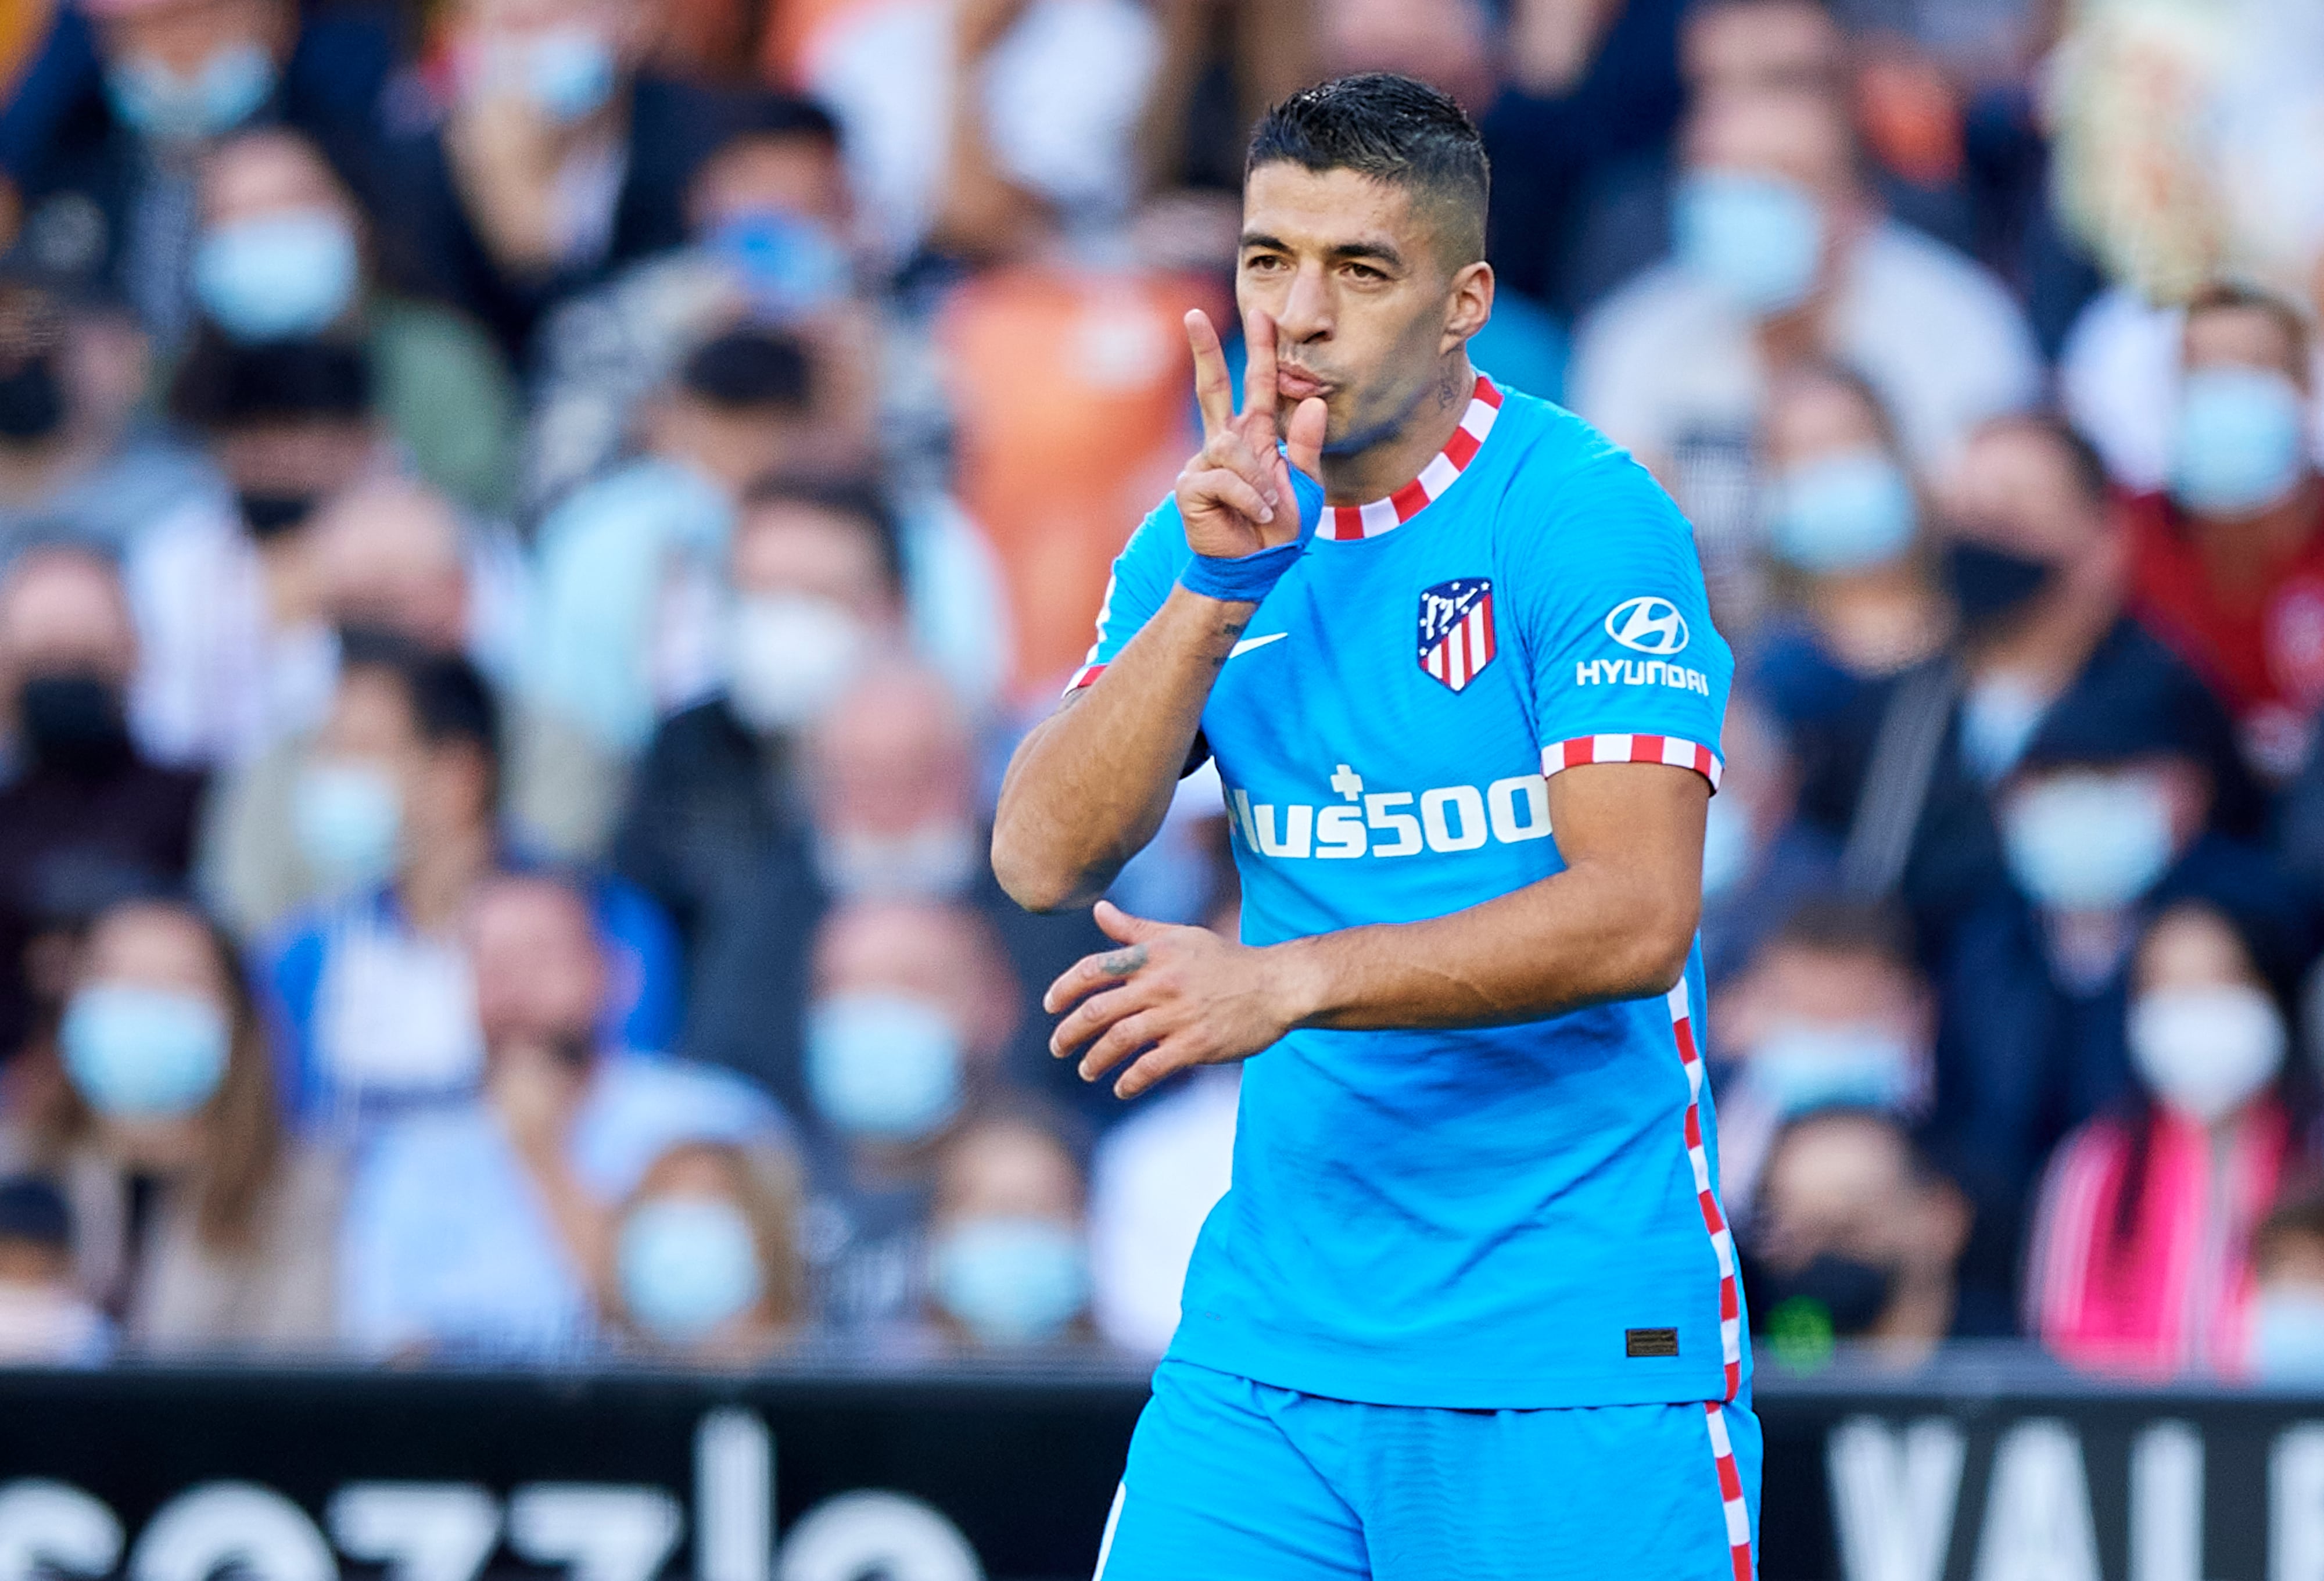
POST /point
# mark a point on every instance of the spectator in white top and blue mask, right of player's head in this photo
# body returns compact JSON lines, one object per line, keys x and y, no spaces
{"x":1781,"y":255}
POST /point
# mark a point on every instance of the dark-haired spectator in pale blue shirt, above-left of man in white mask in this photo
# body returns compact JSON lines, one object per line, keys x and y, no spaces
{"x":631,"y":578}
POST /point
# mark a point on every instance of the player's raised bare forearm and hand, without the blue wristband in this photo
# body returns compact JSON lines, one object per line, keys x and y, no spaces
{"x":1091,"y":785}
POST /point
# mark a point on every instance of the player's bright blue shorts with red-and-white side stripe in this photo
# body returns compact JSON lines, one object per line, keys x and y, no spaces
{"x":1242,"y":1482}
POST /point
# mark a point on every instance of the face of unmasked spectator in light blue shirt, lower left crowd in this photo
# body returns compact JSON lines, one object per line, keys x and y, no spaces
{"x":540,"y":973}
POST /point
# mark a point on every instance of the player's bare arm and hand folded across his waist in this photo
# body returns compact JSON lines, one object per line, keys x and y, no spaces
{"x":1616,"y":924}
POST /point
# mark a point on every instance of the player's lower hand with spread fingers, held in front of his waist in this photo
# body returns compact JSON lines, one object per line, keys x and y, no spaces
{"x":1165,"y":1001}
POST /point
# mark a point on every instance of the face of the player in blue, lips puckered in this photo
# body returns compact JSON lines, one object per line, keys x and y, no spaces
{"x":1358,"y":289}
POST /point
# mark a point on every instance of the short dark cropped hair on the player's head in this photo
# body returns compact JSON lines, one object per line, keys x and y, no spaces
{"x":1396,"y":131}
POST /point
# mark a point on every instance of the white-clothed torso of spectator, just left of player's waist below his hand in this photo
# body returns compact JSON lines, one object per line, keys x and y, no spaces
{"x":1152,"y":1187}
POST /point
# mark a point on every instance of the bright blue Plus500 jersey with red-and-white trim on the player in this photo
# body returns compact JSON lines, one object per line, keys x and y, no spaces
{"x":1512,"y":1217}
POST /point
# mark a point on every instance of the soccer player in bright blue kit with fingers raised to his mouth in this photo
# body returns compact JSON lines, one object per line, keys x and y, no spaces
{"x":1470,"y":1308}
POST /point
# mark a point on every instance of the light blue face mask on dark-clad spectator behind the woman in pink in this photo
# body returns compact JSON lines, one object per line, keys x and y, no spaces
{"x":2088,"y":843}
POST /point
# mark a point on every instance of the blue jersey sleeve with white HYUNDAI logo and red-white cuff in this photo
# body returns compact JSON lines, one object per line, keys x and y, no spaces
{"x":1616,"y":624}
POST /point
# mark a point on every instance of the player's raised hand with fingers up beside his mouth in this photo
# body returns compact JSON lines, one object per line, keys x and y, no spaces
{"x":1235,"y":496}
